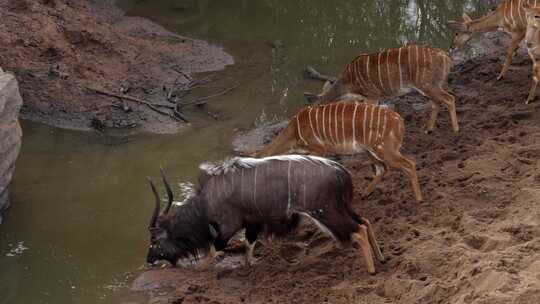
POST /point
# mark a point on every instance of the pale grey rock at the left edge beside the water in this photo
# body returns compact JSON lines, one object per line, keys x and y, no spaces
{"x":10,"y":133}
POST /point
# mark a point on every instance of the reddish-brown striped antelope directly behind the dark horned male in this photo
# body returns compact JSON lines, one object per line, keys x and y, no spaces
{"x":348,"y":128}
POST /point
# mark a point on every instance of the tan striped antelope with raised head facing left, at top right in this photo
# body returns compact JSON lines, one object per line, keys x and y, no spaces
{"x":509,"y":16}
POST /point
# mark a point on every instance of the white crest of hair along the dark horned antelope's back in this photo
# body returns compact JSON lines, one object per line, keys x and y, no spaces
{"x":232,"y":164}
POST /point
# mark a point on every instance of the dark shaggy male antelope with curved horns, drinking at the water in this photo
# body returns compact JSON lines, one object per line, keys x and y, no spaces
{"x":266,"y":195}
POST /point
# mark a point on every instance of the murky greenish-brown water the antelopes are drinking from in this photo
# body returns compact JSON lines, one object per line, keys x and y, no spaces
{"x":77,"y":230}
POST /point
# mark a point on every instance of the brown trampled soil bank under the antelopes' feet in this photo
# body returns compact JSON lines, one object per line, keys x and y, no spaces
{"x":475,"y":239}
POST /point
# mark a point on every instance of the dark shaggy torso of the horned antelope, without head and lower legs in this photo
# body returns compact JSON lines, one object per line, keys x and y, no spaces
{"x":273,"y":191}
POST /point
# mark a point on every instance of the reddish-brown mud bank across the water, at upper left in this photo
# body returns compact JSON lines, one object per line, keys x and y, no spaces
{"x":60,"y":48}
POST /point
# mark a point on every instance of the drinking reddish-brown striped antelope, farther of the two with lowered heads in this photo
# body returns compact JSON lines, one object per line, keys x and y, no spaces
{"x":395,"y":72}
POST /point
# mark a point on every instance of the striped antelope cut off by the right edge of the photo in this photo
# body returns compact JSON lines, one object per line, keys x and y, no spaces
{"x":532,"y":39}
